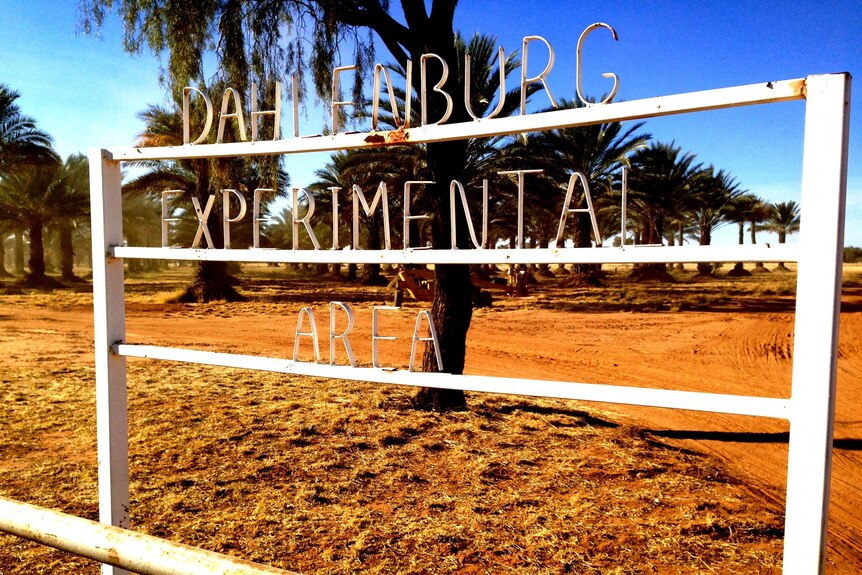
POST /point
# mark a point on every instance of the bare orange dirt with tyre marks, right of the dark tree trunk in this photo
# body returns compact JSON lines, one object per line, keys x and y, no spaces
{"x":745,"y":354}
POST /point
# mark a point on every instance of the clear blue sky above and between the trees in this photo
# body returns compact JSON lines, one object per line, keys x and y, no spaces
{"x":86,"y":91}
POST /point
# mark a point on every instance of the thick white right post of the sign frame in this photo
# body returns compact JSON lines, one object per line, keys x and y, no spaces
{"x":818,"y":301}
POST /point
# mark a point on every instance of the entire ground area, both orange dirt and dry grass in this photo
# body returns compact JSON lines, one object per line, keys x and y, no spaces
{"x":323,"y":476}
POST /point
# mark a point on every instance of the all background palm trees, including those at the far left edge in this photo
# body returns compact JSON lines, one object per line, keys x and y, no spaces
{"x":671,"y":196}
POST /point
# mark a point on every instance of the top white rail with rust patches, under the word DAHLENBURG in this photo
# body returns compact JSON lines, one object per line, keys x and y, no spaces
{"x":748,"y":95}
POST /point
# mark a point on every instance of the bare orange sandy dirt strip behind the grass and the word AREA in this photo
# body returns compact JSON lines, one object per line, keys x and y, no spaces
{"x":736,"y":351}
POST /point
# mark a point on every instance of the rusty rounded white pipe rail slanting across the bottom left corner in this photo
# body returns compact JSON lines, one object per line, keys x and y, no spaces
{"x":119,"y":547}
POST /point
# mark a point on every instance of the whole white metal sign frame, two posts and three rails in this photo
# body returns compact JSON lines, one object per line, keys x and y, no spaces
{"x":818,"y":254}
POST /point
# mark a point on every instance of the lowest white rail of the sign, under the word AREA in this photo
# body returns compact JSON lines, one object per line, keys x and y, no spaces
{"x":648,"y":397}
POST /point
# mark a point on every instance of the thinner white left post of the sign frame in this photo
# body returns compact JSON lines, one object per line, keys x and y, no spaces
{"x":110,"y":327}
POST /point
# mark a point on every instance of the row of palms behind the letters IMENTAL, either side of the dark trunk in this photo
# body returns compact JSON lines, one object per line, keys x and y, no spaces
{"x":671,"y":197}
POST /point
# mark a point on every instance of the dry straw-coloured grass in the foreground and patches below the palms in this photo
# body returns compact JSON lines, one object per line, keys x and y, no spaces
{"x":320,"y":476}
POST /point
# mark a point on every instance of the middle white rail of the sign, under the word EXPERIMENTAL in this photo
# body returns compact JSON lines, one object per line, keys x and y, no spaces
{"x":611,"y":255}
